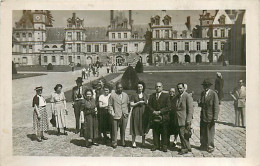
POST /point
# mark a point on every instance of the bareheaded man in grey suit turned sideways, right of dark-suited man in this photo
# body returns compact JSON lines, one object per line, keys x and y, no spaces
{"x":184,"y":111}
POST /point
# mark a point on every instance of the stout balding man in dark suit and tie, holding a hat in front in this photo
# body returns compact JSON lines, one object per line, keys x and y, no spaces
{"x":160,"y":117}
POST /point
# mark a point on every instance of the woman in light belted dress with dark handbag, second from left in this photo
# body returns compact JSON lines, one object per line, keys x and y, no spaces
{"x":59,"y":108}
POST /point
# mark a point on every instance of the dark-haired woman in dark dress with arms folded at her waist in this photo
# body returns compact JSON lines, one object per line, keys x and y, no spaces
{"x":139,"y":117}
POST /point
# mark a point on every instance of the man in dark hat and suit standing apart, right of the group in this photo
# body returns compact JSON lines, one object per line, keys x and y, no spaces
{"x":209,"y":104}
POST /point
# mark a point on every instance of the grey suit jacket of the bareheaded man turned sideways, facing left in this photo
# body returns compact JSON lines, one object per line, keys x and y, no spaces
{"x":184,"y":108}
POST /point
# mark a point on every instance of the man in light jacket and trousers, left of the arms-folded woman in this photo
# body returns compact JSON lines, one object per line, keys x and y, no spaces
{"x":119,"y":107}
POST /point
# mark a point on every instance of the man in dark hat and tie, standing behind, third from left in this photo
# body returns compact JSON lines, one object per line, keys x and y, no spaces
{"x":77,"y":97}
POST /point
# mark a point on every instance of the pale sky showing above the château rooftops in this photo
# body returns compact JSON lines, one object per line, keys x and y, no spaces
{"x":94,"y":18}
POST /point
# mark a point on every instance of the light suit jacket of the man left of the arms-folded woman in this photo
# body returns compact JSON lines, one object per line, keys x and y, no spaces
{"x":119,"y":106}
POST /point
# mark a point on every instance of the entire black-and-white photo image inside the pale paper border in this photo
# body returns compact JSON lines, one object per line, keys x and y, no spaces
{"x":129,"y":83}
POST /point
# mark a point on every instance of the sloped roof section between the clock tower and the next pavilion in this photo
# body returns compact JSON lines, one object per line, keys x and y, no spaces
{"x":55,"y":35}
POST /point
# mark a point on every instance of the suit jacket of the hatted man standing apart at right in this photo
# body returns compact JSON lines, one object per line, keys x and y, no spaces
{"x":209,"y":106}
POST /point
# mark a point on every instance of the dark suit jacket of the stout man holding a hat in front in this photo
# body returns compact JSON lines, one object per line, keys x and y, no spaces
{"x":159,"y":105}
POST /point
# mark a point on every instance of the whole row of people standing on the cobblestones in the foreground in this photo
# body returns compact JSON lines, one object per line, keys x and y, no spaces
{"x":102,"y":111}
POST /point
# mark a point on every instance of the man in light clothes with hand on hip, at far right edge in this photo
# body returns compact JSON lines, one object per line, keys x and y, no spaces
{"x":239,"y":96}
